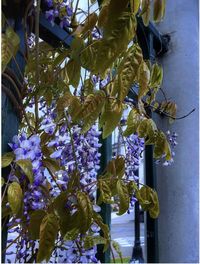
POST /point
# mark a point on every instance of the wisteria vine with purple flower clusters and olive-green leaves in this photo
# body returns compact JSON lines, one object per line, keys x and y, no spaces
{"x":50,"y":192}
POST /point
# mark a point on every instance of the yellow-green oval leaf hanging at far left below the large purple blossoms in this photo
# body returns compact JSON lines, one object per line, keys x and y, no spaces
{"x":15,"y":197}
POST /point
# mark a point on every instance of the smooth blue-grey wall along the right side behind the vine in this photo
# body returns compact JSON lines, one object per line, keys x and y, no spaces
{"x":178,"y":185}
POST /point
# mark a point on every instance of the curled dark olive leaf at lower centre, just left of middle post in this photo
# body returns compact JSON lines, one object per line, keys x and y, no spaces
{"x":85,"y":210}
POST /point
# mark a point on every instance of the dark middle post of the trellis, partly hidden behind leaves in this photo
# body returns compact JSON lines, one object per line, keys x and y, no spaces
{"x":106,"y":155}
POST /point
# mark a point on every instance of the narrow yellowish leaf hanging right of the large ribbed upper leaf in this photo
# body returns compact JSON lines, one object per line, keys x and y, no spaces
{"x":143,"y":78}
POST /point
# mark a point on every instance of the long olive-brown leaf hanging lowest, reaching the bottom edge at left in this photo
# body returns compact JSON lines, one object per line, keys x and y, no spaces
{"x":48,"y":234}
